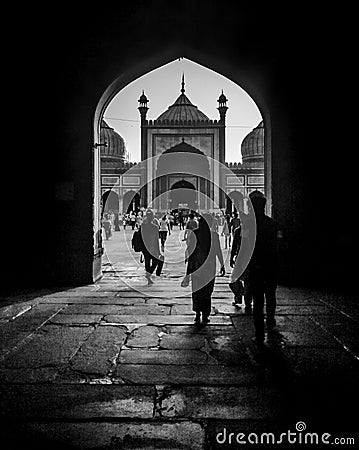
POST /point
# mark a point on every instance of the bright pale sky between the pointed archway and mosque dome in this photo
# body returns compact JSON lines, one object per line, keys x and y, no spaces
{"x":203,"y":87}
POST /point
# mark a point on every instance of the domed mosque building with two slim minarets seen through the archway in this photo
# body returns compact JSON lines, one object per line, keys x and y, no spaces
{"x":182,"y":146}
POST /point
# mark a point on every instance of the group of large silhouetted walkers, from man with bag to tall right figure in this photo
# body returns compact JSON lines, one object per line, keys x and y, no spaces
{"x":257,"y":283}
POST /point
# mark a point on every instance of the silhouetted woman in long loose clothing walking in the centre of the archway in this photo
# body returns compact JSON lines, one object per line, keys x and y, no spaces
{"x":203,"y":249}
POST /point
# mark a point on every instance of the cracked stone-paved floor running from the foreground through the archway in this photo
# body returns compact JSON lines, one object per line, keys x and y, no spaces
{"x":121,"y":365}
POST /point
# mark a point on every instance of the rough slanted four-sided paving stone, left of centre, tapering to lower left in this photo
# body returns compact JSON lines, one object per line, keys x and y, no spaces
{"x":96,"y":355}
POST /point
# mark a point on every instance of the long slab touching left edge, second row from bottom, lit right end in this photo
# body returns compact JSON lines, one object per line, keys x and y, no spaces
{"x":80,"y":401}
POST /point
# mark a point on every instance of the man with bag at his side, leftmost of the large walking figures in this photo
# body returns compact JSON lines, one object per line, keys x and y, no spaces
{"x":151,"y":252}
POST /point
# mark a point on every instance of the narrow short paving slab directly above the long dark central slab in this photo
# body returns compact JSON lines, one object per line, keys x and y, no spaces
{"x":164,"y":357}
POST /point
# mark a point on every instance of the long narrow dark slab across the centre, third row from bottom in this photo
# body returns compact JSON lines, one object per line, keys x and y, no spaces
{"x":178,"y":374}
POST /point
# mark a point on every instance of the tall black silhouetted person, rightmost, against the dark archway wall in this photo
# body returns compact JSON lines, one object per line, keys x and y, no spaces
{"x":263,"y":267}
